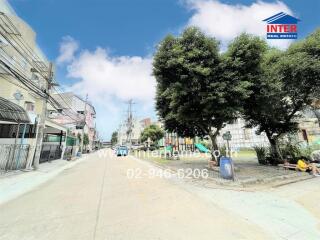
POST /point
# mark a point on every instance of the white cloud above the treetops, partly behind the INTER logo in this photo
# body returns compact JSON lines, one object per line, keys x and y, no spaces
{"x":226,"y":21}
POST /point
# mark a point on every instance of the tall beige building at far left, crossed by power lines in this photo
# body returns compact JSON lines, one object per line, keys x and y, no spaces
{"x":23,"y":71}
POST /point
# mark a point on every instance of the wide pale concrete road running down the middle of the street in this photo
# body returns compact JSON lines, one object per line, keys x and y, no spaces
{"x":96,"y":200}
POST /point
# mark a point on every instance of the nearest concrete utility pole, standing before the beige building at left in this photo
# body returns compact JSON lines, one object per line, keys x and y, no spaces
{"x":42,"y":120}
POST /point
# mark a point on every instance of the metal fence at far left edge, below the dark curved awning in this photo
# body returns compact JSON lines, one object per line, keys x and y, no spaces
{"x":13,"y":156}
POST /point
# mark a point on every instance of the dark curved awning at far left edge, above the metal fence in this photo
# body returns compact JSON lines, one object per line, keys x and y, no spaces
{"x":12,"y":112}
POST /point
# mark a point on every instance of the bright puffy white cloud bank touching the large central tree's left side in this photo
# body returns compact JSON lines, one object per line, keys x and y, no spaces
{"x":120,"y":77}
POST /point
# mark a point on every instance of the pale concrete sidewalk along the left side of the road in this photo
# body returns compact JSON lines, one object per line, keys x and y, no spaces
{"x":17,"y":183}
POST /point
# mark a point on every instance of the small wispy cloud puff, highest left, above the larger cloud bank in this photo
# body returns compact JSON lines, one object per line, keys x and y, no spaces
{"x":68,"y":48}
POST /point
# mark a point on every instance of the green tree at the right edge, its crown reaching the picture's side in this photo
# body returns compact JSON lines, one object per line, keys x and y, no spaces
{"x":289,"y":82}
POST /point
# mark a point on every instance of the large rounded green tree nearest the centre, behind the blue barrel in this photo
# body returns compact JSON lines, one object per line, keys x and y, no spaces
{"x":193,"y":98}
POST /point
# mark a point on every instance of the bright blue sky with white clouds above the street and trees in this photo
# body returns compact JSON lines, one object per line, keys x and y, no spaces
{"x":104,"y":48}
